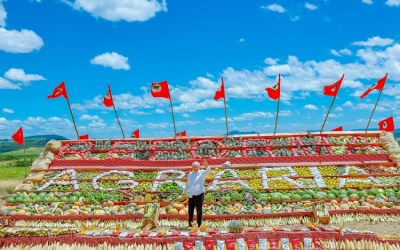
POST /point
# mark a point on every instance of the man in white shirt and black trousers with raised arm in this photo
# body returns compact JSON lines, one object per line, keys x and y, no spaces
{"x":195,"y":189}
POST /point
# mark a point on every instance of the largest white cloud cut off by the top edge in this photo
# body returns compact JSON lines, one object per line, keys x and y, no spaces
{"x":121,"y":10}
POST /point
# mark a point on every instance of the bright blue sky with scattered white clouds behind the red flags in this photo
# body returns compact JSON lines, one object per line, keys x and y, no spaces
{"x":131,"y":43}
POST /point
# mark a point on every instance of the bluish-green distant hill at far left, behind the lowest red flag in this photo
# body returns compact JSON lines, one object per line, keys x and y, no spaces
{"x":36,"y":141}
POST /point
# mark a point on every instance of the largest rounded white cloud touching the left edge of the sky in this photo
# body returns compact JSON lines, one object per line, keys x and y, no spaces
{"x":24,"y":41}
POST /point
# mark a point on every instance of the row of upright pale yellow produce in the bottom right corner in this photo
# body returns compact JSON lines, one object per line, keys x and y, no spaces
{"x":355,"y":245}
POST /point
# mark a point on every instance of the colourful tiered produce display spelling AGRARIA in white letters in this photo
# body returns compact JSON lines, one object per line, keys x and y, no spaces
{"x":128,"y":193}
